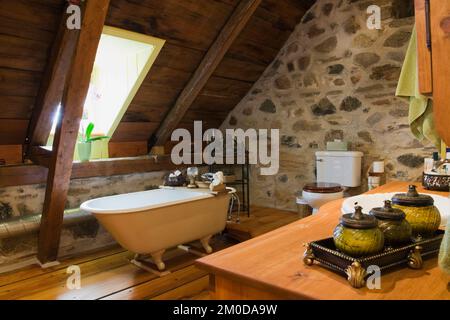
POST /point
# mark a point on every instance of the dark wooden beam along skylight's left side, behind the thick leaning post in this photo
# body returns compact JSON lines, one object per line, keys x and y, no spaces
{"x":52,"y":86}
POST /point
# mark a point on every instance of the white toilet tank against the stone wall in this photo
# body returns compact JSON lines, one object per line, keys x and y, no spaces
{"x":343,"y":167}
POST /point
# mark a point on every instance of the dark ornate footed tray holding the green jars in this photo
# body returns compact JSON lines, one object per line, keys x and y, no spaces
{"x":325,"y":254}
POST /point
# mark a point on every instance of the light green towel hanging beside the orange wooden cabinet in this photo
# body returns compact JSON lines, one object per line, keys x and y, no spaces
{"x":421,"y":118}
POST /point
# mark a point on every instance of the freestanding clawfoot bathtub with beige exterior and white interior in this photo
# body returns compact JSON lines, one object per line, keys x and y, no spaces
{"x":150,"y":222}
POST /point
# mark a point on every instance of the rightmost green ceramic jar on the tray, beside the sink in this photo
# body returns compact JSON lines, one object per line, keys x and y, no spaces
{"x":421,"y":213}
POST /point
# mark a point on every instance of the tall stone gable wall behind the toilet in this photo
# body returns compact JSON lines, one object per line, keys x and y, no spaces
{"x":334,"y":78}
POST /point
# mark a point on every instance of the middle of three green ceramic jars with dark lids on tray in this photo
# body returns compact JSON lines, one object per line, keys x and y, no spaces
{"x":392,"y":222}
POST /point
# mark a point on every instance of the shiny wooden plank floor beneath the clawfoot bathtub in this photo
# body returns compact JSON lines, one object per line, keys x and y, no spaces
{"x":109,"y":274}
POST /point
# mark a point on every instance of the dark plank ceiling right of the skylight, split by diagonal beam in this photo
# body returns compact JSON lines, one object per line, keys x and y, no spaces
{"x":190,"y":27}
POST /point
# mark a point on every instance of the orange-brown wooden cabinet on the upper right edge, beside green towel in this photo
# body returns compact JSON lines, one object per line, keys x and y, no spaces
{"x":433,"y":49}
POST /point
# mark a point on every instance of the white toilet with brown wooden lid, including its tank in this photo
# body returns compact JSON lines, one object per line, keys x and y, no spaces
{"x":336,"y":172}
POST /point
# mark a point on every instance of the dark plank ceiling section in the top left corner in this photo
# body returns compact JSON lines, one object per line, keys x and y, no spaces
{"x":27,"y":32}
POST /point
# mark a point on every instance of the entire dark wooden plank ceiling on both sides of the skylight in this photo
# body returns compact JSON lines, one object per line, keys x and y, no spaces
{"x":28,"y":29}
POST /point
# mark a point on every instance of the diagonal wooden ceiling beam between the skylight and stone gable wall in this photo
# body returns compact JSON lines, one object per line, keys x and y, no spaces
{"x":235,"y":24}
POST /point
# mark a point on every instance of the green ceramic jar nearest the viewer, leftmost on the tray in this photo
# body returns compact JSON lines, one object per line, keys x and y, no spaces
{"x":358,"y":234}
